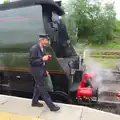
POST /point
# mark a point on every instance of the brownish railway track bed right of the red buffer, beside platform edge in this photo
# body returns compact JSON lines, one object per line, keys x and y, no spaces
{"x":107,"y":100}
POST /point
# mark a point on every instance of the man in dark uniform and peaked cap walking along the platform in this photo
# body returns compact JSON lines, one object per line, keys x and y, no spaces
{"x":37,"y":60}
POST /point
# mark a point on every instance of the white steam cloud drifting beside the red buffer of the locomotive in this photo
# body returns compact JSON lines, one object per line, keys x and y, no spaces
{"x":101,"y":75}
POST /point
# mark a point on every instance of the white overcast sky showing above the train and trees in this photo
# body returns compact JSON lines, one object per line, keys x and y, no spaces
{"x":117,"y":6}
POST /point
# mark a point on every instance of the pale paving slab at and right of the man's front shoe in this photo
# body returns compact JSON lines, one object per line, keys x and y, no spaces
{"x":67,"y":112}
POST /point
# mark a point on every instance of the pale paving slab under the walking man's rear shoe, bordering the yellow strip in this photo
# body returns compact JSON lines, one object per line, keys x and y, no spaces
{"x":21,"y":106}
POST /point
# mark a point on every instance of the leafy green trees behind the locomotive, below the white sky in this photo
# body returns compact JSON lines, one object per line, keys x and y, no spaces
{"x":93,"y":21}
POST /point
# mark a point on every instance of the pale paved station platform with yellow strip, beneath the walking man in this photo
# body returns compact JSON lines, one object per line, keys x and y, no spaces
{"x":15,"y":108}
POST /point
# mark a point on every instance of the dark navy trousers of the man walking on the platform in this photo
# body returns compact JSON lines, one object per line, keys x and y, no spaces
{"x":40,"y":90}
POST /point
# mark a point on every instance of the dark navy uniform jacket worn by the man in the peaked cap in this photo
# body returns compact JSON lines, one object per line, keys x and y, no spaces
{"x":35,"y":60}
